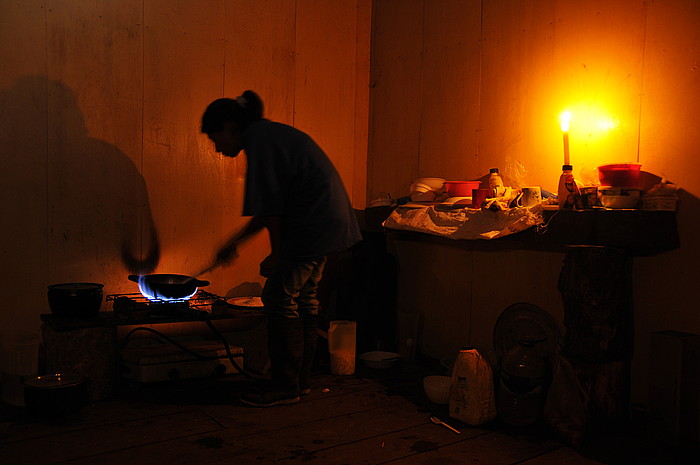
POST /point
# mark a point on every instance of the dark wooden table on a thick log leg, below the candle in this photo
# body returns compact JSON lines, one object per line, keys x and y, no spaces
{"x":596,"y":288}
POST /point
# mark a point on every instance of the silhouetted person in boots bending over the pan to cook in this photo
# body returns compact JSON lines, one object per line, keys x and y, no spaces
{"x":293,"y":190}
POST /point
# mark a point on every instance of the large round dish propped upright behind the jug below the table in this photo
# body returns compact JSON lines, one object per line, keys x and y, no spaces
{"x":526,"y":321}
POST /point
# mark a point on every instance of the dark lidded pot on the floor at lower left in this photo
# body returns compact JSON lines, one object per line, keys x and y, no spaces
{"x":55,"y":395}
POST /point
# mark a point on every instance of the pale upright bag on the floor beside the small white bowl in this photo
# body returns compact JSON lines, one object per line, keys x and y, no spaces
{"x":472,"y":398}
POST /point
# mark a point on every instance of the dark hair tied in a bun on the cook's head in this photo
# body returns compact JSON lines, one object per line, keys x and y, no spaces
{"x":242,"y":111}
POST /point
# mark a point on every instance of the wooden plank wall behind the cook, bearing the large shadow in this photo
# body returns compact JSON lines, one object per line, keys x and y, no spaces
{"x":103,"y":163}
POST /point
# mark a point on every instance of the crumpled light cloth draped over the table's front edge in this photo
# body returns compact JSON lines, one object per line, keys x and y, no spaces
{"x":464,"y":223}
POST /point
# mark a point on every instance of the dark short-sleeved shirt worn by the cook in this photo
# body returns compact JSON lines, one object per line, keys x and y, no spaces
{"x":289,"y":176}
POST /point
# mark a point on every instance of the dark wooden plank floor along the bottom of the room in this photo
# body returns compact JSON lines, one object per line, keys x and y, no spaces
{"x":368,"y":418}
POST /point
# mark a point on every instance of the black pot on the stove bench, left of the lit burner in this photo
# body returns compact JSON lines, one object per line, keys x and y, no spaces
{"x":77,"y":300}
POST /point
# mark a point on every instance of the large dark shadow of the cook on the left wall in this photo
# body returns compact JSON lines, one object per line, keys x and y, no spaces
{"x":82,"y":200}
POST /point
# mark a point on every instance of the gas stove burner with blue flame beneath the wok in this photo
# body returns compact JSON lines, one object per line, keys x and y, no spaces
{"x":136,"y":305}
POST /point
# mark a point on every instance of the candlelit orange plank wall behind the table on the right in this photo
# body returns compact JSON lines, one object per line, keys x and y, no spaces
{"x":459,"y":87}
